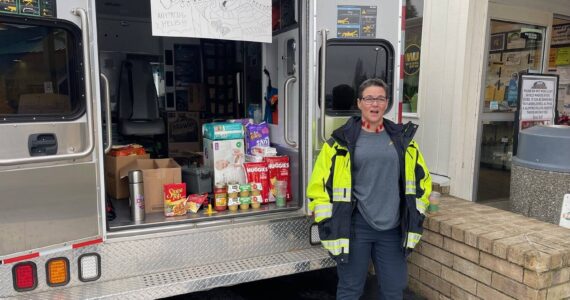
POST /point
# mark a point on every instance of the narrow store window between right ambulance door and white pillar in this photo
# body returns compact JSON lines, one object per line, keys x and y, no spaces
{"x":412,"y":51}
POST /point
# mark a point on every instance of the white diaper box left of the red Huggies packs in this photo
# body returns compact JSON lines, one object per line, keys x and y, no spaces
{"x":226,"y":158}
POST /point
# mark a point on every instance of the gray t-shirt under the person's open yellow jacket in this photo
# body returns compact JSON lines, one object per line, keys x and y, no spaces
{"x":376,"y":172}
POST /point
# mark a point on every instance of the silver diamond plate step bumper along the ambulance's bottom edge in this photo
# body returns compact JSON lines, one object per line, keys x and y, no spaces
{"x":182,"y":281}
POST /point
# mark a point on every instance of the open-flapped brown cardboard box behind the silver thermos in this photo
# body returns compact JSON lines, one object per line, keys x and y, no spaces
{"x":156,"y":173}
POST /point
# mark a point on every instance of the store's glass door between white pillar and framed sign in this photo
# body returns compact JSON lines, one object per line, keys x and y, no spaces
{"x":514,"y":49}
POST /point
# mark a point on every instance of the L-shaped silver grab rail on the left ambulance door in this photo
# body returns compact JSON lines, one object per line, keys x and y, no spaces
{"x":89,"y":110}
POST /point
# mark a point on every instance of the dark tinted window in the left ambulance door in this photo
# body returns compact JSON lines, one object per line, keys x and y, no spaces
{"x":38,"y":70}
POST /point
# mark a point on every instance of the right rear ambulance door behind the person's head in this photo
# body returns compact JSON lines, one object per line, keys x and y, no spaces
{"x":349,"y":42}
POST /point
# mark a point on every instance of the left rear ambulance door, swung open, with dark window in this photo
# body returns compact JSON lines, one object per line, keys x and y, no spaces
{"x":49,"y":183}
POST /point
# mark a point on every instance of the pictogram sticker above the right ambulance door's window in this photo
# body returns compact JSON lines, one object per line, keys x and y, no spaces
{"x":356,"y":21}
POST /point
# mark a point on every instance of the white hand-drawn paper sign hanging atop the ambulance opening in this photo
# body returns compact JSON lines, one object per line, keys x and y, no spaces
{"x":239,"y":20}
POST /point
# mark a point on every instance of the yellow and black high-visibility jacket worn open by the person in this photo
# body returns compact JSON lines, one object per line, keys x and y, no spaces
{"x":330,"y":187}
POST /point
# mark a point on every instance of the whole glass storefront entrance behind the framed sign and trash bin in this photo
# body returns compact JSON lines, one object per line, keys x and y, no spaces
{"x":518,"y":43}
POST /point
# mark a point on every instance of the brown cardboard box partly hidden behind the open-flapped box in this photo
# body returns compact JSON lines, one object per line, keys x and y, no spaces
{"x":116,"y":186}
